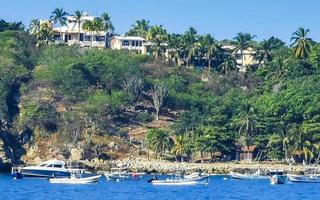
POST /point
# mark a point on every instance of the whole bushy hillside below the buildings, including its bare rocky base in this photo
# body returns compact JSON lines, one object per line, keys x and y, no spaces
{"x":89,"y":104}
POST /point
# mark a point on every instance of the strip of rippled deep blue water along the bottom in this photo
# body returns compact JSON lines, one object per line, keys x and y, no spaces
{"x":218,"y":188}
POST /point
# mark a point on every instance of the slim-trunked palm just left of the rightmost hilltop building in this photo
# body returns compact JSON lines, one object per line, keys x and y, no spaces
{"x":211,"y":49}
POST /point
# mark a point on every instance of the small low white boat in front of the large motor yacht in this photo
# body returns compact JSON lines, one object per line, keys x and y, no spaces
{"x":74,"y":179}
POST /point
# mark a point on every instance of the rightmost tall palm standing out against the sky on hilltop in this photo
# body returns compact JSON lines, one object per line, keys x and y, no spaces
{"x":301,"y":43}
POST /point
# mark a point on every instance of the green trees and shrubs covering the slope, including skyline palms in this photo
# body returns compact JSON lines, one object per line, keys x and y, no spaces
{"x":86,"y":96}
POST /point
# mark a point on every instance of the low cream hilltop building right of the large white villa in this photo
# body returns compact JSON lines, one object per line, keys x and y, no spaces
{"x":130,"y":43}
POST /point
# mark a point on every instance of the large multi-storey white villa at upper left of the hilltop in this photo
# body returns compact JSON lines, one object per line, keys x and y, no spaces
{"x":70,"y":34}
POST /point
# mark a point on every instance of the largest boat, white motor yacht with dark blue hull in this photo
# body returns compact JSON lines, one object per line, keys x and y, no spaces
{"x":50,"y":169}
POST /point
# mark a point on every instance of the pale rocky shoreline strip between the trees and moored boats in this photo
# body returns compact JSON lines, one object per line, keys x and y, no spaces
{"x":166,"y":167}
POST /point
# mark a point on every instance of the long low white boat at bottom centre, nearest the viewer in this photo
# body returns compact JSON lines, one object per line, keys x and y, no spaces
{"x":179,"y":182}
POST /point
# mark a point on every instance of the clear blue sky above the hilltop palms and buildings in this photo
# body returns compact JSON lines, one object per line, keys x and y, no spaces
{"x":222,"y":18}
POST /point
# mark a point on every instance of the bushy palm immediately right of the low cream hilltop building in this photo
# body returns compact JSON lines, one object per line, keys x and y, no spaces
{"x":158,"y":36}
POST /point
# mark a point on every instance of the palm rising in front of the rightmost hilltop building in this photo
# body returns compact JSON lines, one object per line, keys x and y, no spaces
{"x":242,"y":42}
